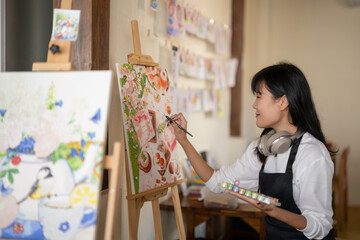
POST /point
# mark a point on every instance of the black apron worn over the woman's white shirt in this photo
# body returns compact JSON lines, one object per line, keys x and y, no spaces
{"x":279,"y":185}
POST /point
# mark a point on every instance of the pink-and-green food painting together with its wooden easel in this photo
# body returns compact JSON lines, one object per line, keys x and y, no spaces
{"x":152,"y":165}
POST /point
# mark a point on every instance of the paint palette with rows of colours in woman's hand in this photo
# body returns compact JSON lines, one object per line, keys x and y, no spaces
{"x":255,"y":195}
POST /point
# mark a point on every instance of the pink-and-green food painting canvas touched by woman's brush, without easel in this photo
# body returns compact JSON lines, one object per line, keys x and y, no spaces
{"x":151,"y":143}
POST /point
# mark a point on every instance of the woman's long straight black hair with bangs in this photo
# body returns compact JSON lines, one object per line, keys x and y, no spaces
{"x":287,"y":79}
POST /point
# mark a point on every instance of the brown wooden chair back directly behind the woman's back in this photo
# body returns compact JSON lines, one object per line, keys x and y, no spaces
{"x":340,"y":190}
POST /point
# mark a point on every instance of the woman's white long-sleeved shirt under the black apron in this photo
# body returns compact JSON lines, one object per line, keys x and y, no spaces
{"x":313,"y":171}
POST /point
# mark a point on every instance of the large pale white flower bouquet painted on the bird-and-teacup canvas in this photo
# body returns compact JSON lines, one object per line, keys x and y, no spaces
{"x":44,"y":116}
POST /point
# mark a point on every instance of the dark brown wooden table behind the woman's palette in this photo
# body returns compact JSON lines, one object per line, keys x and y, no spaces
{"x":197,"y":213}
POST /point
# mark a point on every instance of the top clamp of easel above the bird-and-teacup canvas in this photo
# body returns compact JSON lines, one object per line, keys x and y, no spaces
{"x":61,"y":60}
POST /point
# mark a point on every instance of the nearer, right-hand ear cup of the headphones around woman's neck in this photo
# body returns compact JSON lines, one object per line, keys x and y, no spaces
{"x":279,"y":142}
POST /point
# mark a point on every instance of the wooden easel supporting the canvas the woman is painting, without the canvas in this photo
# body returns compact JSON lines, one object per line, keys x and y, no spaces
{"x":136,"y":201}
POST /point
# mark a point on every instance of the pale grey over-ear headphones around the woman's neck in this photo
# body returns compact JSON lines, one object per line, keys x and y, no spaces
{"x":277,"y":142}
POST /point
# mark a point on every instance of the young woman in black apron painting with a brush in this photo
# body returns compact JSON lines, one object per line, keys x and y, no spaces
{"x":290,"y":160}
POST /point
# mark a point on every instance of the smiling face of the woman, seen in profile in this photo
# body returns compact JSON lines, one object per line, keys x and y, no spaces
{"x":268,"y":109}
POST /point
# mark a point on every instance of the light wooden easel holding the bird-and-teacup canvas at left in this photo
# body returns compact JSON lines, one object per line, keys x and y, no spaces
{"x":61,"y":61}
